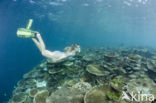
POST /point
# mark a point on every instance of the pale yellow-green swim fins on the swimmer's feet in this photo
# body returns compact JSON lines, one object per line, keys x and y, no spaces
{"x":26,"y":32}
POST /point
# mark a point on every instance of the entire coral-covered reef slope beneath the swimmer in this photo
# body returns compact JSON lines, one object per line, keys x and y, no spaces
{"x":96,"y":75}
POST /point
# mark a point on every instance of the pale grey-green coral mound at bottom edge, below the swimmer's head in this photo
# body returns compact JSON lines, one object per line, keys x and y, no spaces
{"x":73,"y":94}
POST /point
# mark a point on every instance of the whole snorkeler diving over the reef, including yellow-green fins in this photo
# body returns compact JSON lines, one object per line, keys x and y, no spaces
{"x":53,"y":56}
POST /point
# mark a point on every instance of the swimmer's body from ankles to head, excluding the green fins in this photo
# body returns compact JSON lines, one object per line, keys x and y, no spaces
{"x":55,"y":56}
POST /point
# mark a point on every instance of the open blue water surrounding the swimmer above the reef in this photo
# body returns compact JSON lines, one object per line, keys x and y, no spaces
{"x":90,"y":23}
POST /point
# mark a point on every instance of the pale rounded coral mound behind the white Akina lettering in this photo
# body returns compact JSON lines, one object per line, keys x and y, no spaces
{"x":139,"y":86}
